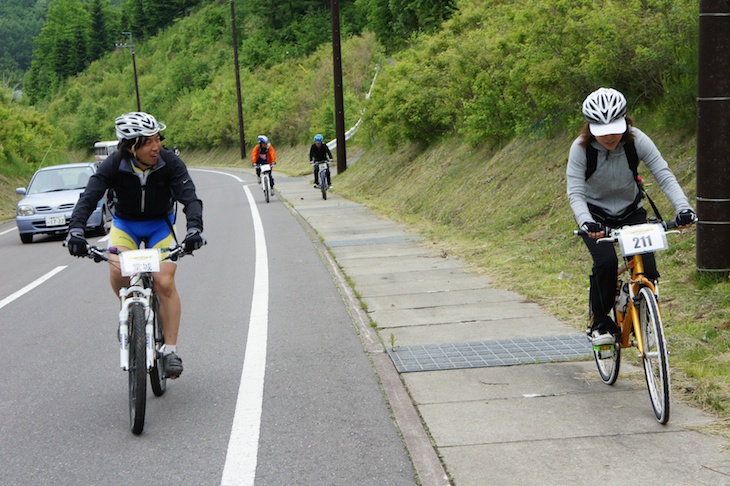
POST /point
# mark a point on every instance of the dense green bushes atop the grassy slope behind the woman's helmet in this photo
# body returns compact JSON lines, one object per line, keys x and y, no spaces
{"x":498,"y":69}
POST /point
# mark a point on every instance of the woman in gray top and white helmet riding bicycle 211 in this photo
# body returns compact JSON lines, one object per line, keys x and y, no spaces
{"x":603,"y":191}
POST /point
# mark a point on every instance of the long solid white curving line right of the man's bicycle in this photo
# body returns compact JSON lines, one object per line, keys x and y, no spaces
{"x":241,"y":459}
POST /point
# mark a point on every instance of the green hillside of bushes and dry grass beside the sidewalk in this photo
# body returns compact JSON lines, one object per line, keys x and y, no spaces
{"x":471,"y":125}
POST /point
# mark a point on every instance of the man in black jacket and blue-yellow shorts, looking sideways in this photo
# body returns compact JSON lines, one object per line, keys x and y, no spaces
{"x":146,"y":181}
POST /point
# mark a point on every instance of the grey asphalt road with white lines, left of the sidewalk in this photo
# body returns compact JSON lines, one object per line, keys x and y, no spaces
{"x":300,"y":405}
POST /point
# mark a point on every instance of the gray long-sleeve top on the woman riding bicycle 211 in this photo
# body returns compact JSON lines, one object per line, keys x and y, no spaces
{"x":612,"y":186}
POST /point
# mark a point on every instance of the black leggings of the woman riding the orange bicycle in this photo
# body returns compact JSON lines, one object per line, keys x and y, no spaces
{"x":605,"y":267}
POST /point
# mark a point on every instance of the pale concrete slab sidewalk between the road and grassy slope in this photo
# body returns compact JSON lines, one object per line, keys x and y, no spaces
{"x":453,"y":338}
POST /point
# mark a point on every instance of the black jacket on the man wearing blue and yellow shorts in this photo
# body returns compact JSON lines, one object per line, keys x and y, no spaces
{"x":168,"y":182}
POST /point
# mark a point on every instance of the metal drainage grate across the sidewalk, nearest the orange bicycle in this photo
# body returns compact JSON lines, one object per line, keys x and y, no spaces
{"x":481,"y":354}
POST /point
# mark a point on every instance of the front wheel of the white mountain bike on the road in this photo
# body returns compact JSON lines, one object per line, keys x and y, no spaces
{"x":137,"y":369}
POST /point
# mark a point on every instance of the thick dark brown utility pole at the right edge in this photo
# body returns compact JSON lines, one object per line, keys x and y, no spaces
{"x":713,"y":138}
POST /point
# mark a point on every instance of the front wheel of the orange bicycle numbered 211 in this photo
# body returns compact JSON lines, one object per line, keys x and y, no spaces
{"x":655,"y":357}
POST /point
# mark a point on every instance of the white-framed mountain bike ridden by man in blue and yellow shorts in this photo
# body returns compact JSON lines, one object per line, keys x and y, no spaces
{"x":141,"y":335}
